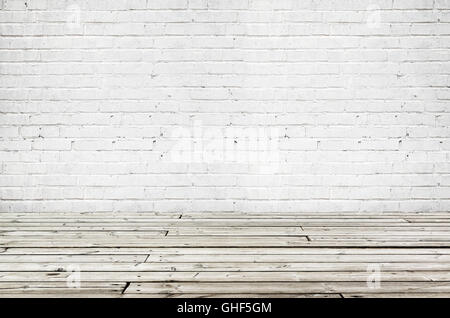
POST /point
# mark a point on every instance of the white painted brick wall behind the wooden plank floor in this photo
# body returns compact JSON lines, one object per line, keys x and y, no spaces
{"x":224,"y":105}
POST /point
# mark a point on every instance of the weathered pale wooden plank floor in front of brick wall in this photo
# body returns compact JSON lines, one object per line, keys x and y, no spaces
{"x":225,"y":254}
